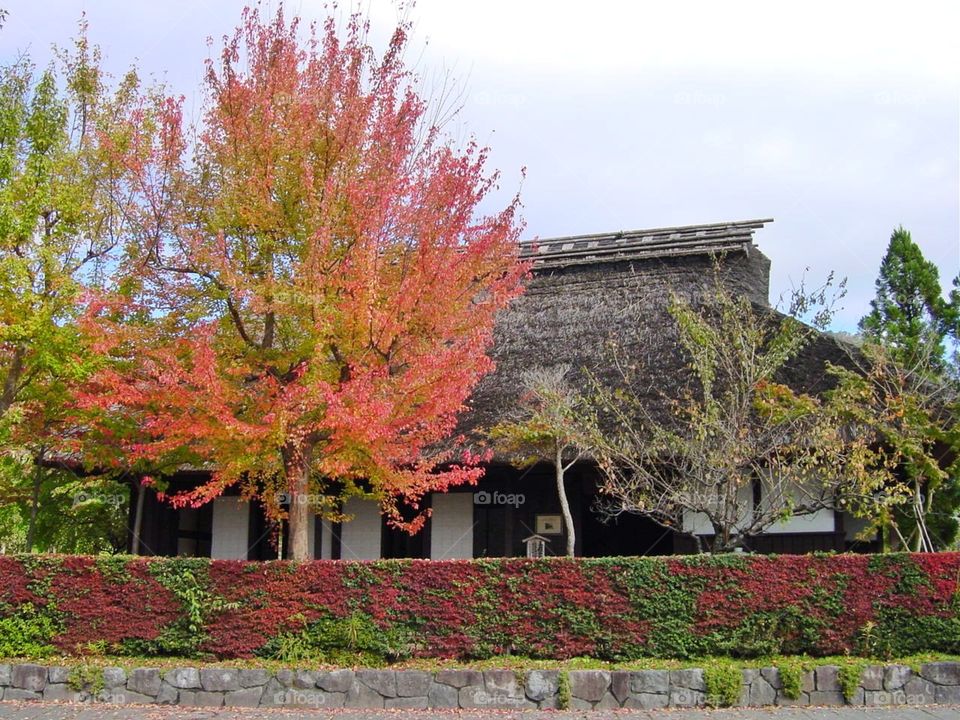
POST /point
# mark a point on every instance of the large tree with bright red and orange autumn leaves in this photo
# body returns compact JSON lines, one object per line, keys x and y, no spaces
{"x":312,"y":288}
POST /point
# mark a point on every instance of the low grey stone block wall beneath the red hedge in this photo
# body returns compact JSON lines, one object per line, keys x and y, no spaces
{"x":937,"y":682}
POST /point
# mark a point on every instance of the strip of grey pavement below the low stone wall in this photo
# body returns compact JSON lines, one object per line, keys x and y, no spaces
{"x":55,"y":711}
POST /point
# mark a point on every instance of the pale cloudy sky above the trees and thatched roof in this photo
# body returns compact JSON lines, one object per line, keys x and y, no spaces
{"x":839,"y":120}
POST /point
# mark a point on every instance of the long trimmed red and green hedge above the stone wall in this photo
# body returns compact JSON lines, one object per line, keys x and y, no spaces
{"x":612,"y":609}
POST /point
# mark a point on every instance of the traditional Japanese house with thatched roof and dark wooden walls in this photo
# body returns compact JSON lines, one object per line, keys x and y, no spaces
{"x":589,"y":296}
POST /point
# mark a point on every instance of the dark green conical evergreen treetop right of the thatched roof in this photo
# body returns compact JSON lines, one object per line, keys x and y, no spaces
{"x":908,"y":313}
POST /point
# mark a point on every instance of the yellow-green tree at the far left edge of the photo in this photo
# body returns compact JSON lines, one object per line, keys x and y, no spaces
{"x":62,"y":215}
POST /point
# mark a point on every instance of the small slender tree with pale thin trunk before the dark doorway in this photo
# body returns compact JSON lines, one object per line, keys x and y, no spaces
{"x":554,"y":423}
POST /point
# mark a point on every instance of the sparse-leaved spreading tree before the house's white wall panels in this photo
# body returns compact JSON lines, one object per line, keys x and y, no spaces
{"x":736,"y":430}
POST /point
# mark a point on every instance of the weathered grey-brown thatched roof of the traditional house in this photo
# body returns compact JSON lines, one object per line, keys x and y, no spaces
{"x":595,"y":300}
